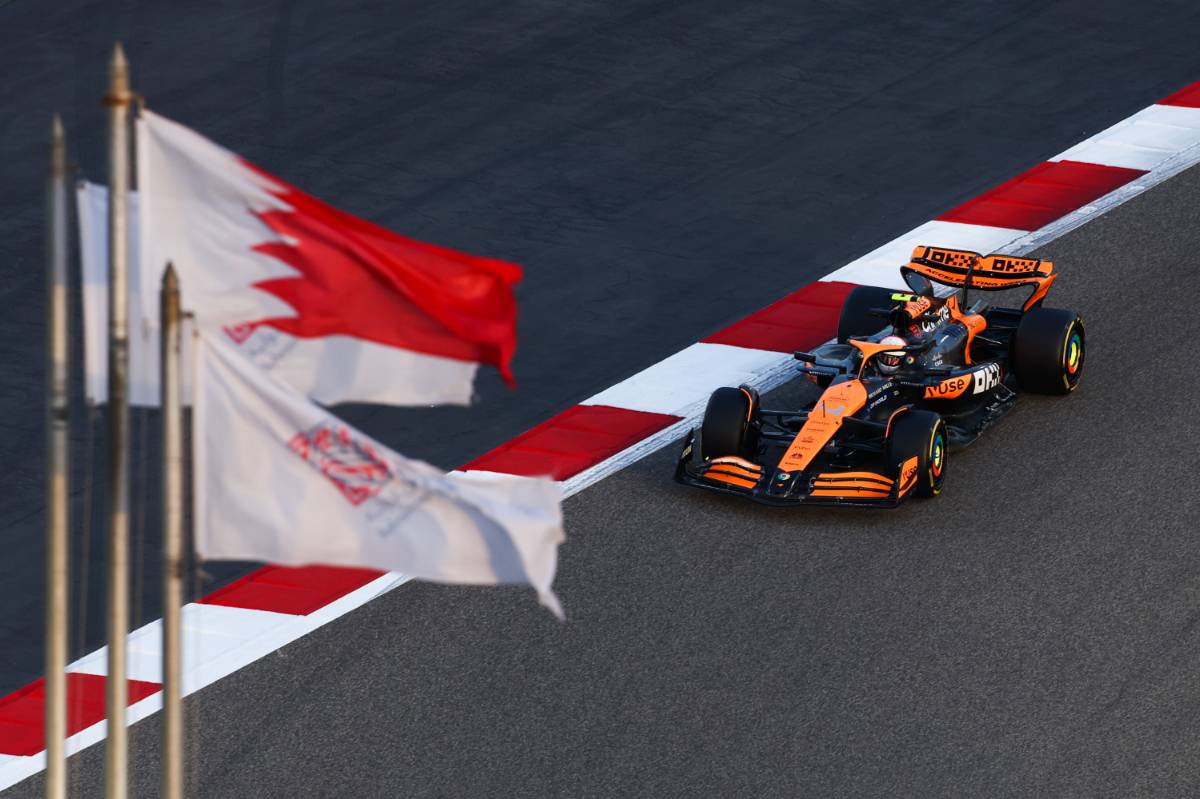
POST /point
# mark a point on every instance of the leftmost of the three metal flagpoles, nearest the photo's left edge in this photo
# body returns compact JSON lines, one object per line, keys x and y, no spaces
{"x":57,"y":454}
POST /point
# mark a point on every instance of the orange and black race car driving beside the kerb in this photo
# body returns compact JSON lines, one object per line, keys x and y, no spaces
{"x":910,"y":375}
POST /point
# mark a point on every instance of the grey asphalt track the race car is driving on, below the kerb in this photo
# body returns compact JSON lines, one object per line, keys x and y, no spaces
{"x":1035,"y":632}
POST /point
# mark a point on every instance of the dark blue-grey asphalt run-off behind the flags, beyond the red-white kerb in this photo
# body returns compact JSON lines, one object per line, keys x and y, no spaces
{"x":661,"y":170}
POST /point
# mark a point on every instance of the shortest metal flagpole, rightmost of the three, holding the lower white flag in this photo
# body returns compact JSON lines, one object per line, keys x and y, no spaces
{"x":173,"y":540}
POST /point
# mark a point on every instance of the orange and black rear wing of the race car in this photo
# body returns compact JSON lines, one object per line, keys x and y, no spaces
{"x":967,"y":269}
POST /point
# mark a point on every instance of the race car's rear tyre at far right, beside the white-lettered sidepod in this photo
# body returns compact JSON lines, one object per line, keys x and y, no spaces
{"x":1048,"y":351}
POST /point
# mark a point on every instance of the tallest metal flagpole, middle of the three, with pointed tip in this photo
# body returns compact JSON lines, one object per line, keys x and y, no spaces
{"x":117,"y":695}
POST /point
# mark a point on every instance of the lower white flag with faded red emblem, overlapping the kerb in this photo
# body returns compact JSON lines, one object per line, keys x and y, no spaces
{"x":279,"y":479}
